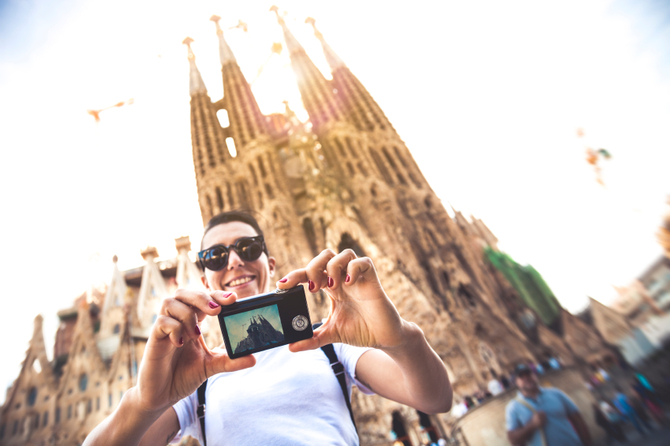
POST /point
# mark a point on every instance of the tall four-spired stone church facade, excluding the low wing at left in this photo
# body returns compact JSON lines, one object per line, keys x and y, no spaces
{"x":344,"y":180}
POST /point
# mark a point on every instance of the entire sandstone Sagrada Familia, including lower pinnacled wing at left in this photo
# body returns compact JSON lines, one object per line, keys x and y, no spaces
{"x":344,"y":179}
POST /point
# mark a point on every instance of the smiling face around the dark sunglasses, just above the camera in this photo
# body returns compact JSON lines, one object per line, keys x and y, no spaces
{"x":244,"y":278}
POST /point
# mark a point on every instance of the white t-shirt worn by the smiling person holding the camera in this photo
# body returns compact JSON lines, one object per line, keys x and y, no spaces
{"x":285,"y":399}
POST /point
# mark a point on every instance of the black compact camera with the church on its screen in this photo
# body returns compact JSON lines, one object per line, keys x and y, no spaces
{"x":265,"y":321}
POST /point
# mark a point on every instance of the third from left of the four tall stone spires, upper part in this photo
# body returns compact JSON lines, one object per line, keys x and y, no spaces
{"x":318,"y":96}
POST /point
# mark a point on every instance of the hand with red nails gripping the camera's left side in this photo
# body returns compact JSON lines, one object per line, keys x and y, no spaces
{"x":176,"y":359}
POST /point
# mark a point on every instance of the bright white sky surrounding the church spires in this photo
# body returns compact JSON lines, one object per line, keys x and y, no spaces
{"x":487,"y":95}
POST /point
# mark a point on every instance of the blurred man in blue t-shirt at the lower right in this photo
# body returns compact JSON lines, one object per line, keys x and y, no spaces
{"x":541,"y":416}
